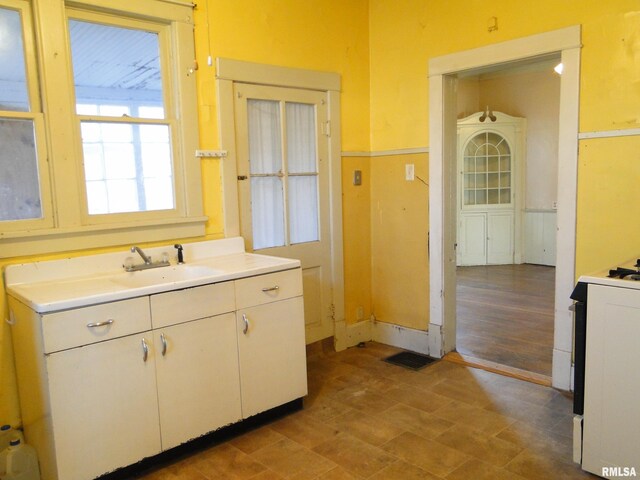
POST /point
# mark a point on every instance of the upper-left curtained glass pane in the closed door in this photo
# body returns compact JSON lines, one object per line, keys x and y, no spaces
{"x":265,"y":143}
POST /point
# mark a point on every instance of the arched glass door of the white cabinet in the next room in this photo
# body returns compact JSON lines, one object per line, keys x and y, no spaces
{"x":487,"y":166}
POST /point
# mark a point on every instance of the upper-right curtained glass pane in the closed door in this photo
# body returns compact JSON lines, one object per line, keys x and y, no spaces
{"x":301,"y":138}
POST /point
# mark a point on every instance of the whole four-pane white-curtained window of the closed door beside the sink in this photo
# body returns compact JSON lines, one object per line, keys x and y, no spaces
{"x":267,"y":173}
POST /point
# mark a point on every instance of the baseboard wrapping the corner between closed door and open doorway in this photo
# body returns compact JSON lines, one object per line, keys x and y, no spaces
{"x":389,"y":334}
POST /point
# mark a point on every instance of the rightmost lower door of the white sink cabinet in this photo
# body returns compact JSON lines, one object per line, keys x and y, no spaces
{"x":272,"y":353}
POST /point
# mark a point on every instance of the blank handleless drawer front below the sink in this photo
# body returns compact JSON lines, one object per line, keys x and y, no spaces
{"x":191,"y":304}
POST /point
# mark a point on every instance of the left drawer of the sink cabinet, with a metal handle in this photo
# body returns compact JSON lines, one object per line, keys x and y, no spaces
{"x":83,"y":326}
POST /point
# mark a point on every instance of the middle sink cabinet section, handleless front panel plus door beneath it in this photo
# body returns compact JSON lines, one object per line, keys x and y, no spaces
{"x":196,"y":361}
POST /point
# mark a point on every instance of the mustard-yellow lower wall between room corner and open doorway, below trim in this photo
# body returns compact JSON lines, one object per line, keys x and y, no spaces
{"x":399,"y":237}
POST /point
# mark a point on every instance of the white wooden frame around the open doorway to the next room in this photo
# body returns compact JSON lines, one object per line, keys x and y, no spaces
{"x":442,"y":200}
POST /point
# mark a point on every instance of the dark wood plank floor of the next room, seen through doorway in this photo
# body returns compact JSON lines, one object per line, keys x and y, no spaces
{"x":505,"y":315}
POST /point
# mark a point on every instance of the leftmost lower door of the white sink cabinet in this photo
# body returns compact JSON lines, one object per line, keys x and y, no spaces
{"x":104,"y":406}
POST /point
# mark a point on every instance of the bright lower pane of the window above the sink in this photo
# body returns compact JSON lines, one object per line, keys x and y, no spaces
{"x":127,"y":167}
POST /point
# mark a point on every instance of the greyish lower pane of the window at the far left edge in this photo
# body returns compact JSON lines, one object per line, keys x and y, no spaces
{"x":19,"y":184}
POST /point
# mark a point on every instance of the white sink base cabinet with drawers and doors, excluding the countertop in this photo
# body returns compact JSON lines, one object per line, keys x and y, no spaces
{"x":107,"y":385}
